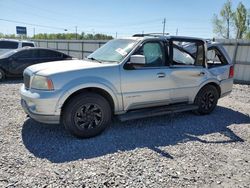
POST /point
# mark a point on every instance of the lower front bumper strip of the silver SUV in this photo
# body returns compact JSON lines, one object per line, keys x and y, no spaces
{"x":49,"y":119}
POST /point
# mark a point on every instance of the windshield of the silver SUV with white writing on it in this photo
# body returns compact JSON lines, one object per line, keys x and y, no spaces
{"x":113,"y":51}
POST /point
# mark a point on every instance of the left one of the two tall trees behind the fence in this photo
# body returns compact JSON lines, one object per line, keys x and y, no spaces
{"x":223,"y":21}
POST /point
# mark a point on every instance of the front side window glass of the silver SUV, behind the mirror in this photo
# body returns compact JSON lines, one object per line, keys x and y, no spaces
{"x":153,"y":52}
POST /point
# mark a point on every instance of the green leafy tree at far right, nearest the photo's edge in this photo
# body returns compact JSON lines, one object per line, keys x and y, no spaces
{"x":240,"y":20}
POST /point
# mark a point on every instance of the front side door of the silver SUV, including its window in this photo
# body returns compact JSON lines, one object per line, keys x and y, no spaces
{"x":147,"y":85}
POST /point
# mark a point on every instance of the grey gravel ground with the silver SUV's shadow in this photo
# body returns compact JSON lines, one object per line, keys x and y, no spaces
{"x":178,"y":150}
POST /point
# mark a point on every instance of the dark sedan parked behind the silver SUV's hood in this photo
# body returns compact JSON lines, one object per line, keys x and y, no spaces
{"x":13,"y":63}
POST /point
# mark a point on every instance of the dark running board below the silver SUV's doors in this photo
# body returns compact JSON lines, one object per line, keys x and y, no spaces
{"x":157,"y":111}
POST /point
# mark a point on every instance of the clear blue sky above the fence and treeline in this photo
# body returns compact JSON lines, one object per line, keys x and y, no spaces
{"x":119,"y":18}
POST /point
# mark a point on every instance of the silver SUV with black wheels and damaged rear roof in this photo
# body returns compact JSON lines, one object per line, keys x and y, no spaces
{"x":131,"y":78}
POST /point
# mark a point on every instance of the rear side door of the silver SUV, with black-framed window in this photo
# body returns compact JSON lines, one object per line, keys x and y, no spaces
{"x":188,"y":71}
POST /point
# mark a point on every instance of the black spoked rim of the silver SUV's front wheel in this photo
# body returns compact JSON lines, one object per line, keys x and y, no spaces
{"x":88,"y":116}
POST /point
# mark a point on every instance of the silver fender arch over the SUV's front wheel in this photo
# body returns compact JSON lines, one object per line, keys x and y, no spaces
{"x":100,"y":83}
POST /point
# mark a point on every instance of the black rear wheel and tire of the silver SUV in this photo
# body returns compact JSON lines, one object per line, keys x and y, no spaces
{"x":206,"y":100}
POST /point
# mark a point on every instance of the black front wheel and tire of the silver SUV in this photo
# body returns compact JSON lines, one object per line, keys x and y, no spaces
{"x":86,"y":115}
